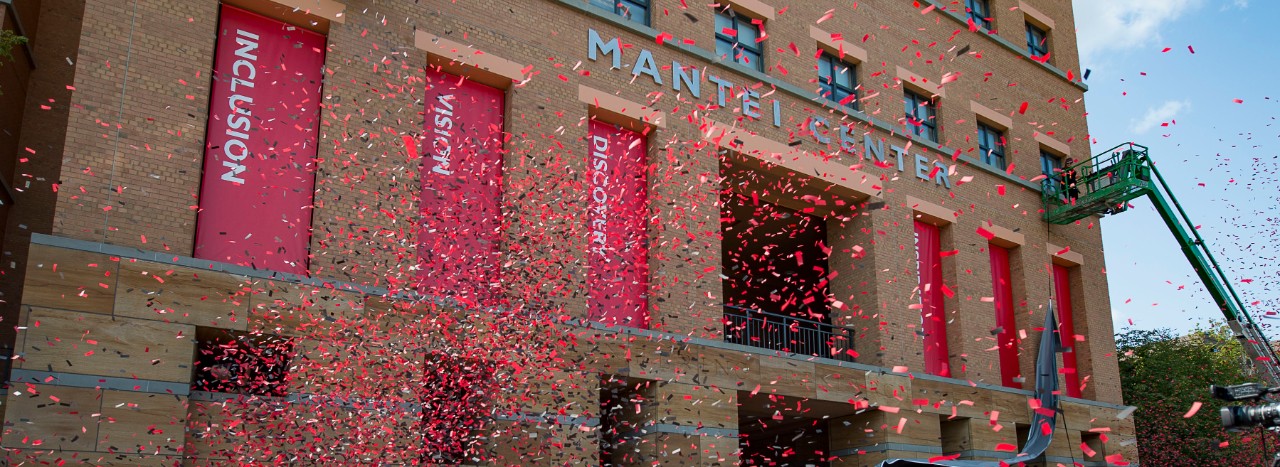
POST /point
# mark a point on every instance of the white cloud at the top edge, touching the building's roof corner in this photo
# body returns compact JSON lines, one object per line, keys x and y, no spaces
{"x":1118,"y":25}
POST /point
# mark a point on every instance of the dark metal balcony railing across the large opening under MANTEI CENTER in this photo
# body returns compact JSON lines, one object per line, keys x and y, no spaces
{"x":790,"y":335}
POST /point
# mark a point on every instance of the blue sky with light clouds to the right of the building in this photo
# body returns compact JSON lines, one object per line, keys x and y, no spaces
{"x":1219,"y":157}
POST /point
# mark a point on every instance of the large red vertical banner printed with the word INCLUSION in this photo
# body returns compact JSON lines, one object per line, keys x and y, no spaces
{"x":259,"y":178}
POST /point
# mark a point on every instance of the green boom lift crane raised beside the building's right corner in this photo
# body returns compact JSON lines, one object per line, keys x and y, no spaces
{"x":1107,"y":184}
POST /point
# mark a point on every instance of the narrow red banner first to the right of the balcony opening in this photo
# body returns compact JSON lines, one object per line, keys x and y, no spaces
{"x":934,"y":321}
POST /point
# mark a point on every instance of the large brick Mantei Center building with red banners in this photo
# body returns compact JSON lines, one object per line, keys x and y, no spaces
{"x":756,"y":232}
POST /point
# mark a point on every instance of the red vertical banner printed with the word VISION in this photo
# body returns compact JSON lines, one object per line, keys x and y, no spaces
{"x":461,"y":199}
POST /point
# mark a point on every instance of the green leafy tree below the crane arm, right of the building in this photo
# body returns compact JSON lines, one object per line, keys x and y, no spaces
{"x":1165,"y":376}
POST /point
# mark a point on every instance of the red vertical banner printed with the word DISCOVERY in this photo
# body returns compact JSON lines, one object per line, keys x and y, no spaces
{"x":618,"y":236}
